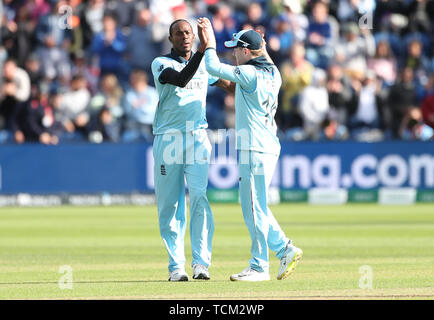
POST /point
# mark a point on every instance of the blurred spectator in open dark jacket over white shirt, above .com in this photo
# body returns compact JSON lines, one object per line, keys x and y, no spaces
{"x":366,"y":121}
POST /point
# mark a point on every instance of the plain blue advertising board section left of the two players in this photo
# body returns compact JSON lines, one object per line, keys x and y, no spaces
{"x":81,"y":168}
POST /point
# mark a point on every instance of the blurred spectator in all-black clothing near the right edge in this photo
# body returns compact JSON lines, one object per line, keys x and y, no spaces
{"x":402,"y":96}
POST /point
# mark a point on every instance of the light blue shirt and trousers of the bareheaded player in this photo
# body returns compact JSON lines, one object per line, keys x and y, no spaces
{"x":182,"y":151}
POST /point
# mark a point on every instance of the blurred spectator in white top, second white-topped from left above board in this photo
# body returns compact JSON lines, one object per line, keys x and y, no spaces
{"x":74,"y":108}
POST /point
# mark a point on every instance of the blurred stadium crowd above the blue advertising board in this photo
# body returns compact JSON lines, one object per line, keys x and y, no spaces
{"x":351,"y":69}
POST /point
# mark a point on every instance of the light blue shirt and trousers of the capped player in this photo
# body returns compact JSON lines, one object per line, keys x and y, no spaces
{"x":257,"y":87}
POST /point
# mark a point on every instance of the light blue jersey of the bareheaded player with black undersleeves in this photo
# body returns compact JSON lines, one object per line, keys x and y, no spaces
{"x":178,"y":105}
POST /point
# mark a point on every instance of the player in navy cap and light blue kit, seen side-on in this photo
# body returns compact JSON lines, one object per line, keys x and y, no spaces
{"x":257,"y":82}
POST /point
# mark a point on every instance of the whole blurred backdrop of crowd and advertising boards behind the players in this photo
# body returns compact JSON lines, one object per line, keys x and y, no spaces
{"x":356,"y":107}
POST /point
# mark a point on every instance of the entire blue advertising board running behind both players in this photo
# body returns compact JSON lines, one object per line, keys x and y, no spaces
{"x":126,"y":168}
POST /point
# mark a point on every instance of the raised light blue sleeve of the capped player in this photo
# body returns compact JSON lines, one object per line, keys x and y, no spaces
{"x":243,"y":75}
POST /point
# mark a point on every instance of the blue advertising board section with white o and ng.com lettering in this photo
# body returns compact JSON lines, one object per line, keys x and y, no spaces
{"x":349,"y":165}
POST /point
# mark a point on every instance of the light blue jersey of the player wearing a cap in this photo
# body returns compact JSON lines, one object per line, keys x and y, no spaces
{"x":256,"y":92}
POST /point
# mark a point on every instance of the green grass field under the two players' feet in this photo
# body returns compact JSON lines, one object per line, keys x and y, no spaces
{"x":117,"y":253}
